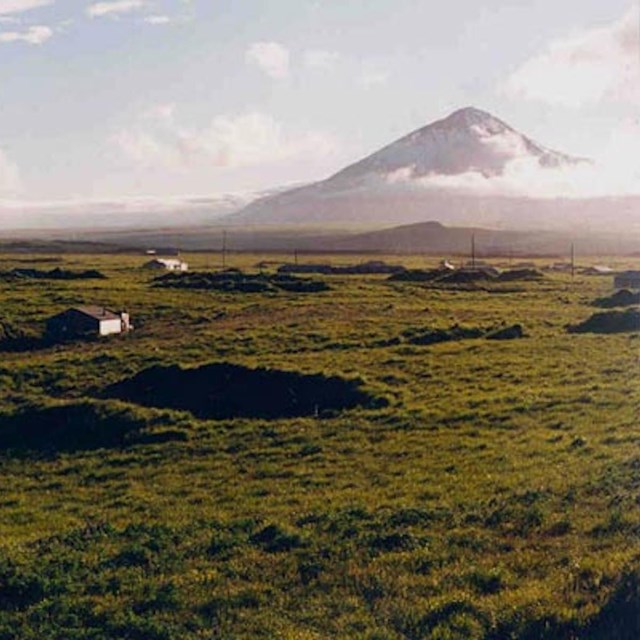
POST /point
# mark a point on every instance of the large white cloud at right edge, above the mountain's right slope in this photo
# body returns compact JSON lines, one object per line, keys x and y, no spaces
{"x":588,"y":67}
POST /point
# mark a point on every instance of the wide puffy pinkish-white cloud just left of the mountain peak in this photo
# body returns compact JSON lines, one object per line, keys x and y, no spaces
{"x":229,"y":141}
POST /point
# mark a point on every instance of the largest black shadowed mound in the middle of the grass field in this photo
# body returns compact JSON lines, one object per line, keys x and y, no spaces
{"x":225,"y":391}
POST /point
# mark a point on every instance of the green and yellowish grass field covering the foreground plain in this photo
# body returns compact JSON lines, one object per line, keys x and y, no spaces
{"x":492,"y":493}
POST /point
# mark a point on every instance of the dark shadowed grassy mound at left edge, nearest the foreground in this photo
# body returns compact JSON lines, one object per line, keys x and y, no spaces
{"x":74,"y":427}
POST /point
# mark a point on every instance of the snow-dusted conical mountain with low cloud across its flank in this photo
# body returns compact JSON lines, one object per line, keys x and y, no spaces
{"x":431,"y":173}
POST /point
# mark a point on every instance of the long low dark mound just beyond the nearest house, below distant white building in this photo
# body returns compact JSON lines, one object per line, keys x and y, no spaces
{"x":234,"y":281}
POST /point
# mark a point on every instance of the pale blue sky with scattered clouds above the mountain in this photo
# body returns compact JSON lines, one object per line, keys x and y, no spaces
{"x":166,"y":98}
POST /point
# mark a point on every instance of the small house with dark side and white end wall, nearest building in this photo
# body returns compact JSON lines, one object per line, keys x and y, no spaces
{"x":86,"y":321}
